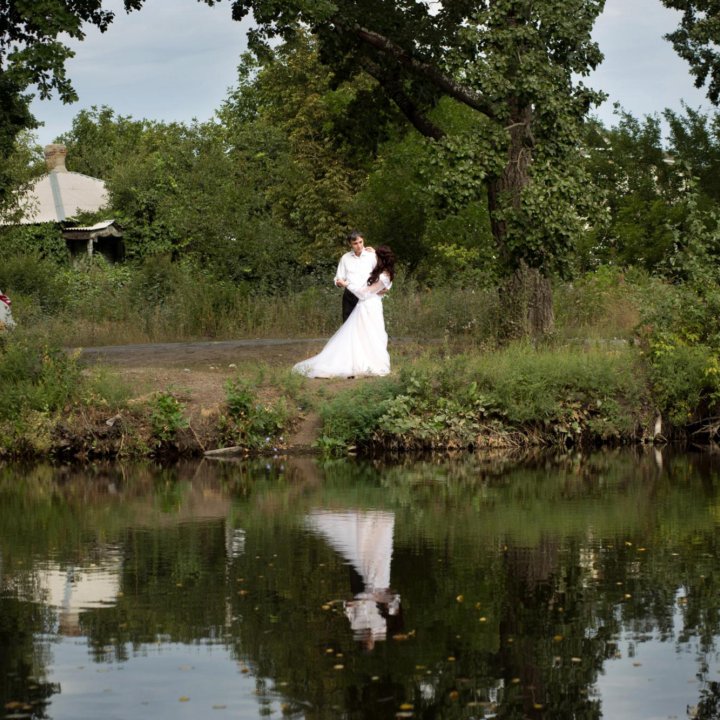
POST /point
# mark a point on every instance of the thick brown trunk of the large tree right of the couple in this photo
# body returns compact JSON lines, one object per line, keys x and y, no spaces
{"x":526,"y":295}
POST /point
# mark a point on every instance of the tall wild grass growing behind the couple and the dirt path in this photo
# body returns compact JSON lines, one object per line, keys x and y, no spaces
{"x":161,"y":301}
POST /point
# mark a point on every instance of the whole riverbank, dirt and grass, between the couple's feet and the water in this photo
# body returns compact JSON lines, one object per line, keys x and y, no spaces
{"x":188,"y":399}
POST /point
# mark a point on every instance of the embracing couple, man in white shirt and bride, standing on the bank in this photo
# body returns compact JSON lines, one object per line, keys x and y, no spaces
{"x":359,"y":347}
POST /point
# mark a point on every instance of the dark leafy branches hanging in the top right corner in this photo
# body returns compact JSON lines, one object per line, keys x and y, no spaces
{"x":697,"y":40}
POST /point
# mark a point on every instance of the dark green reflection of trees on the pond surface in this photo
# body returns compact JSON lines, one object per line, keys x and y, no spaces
{"x":553,"y":586}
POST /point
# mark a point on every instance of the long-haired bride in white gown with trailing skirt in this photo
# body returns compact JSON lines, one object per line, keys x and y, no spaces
{"x":359,"y":347}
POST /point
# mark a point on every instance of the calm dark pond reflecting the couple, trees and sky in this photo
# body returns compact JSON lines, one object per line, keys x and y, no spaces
{"x":478,"y":587}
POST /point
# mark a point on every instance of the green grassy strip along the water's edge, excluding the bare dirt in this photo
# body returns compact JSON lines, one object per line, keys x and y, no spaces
{"x":438,"y":399}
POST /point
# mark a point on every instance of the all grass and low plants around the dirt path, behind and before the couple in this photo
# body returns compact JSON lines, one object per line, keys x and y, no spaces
{"x":625,"y":352}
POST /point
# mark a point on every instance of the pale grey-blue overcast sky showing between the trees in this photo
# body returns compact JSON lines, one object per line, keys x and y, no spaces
{"x":176,"y":59}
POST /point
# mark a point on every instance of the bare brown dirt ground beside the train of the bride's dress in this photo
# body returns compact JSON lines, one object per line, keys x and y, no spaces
{"x":197,"y":372}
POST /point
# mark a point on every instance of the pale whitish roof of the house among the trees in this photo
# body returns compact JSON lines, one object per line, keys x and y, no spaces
{"x":61,"y":194}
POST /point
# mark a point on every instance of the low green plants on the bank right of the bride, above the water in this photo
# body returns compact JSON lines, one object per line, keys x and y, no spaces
{"x":515,"y":396}
